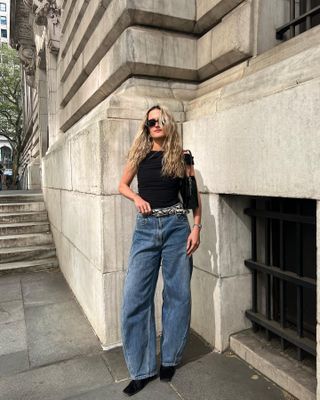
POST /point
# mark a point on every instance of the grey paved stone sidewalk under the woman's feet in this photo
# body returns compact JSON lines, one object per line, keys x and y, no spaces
{"x":48,"y":351}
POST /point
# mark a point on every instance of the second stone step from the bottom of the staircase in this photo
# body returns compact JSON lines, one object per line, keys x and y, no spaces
{"x":27,"y":253}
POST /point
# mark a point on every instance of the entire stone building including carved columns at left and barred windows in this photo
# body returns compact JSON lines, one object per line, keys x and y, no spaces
{"x":246,"y":102}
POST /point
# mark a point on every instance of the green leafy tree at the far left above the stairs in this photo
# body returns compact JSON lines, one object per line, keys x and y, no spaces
{"x":11,"y":103}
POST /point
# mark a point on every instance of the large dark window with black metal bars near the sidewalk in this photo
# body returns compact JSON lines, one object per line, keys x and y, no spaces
{"x":283,"y":265}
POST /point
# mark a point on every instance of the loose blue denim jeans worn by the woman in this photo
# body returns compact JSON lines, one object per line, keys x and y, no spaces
{"x":156,"y":241}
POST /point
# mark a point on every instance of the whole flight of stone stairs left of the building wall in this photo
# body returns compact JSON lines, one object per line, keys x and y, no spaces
{"x":25,"y":238}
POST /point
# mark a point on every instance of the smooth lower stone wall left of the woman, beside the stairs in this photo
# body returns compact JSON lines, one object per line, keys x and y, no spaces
{"x":82,"y":205}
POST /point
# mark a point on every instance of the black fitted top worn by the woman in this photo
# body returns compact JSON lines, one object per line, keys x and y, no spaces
{"x":156,"y":189}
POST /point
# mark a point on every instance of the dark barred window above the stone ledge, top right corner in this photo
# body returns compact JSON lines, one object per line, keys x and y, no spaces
{"x":304,"y":14}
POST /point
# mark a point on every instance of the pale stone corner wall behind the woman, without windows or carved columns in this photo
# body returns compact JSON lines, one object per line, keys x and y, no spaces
{"x":211,"y":63}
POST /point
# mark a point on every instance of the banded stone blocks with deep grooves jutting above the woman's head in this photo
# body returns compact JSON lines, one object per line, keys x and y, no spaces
{"x":118,"y":39}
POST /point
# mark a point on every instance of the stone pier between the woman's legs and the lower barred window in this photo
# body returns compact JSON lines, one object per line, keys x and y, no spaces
{"x":221,"y":284}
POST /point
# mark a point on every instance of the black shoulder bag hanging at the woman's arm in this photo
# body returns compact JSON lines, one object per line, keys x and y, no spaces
{"x":188,"y":188}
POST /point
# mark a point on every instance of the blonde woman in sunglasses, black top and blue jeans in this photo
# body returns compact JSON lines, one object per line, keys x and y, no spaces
{"x":162,"y":236}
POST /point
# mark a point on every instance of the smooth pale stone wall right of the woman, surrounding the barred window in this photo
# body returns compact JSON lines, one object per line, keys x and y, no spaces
{"x":251,"y":136}
